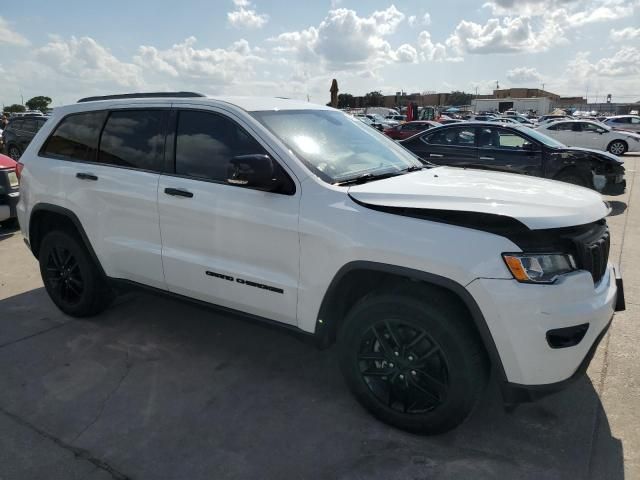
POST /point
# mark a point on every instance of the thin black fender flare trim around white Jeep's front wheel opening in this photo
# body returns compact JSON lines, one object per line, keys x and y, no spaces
{"x":326,"y":323}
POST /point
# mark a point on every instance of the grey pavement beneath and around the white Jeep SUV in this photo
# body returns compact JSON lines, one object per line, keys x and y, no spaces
{"x":155,"y":388}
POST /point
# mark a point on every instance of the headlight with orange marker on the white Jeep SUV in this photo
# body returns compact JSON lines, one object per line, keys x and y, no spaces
{"x":538,"y":267}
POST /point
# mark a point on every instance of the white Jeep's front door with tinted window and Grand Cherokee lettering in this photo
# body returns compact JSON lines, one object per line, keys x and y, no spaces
{"x":221,"y":243}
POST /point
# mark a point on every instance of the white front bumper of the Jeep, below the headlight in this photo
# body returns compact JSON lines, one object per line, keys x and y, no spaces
{"x":520,"y":315}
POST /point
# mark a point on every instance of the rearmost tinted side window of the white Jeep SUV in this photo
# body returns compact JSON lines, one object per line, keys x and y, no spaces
{"x":76,"y":137}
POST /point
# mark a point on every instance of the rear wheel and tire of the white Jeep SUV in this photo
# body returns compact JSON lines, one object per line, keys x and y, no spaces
{"x":71,"y":277}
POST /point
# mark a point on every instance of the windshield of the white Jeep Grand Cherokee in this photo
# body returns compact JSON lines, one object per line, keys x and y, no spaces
{"x":335,"y":146}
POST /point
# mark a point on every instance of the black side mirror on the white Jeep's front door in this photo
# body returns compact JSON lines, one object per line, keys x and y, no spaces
{"x":257,"y":171}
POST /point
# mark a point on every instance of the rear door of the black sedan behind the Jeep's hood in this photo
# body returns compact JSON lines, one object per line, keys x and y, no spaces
{"x":453,"y":146}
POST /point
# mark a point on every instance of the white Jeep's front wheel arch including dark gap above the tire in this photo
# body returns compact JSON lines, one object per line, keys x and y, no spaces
{"x":357,"y":278}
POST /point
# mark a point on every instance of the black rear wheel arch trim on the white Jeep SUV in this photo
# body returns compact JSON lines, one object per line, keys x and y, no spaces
{"x":46,"y":217}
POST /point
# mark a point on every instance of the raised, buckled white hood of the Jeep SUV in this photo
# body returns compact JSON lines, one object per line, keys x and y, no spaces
{"x":535,"y":202}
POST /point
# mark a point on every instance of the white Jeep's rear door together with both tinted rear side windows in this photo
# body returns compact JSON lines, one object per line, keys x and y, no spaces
{"x":110,"y":166}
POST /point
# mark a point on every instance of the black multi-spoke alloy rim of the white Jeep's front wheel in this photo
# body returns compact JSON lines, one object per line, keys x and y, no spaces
{"x":404,"y":367}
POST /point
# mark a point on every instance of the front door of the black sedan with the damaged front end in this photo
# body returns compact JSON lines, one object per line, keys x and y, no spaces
{"x":506,"y":150}
